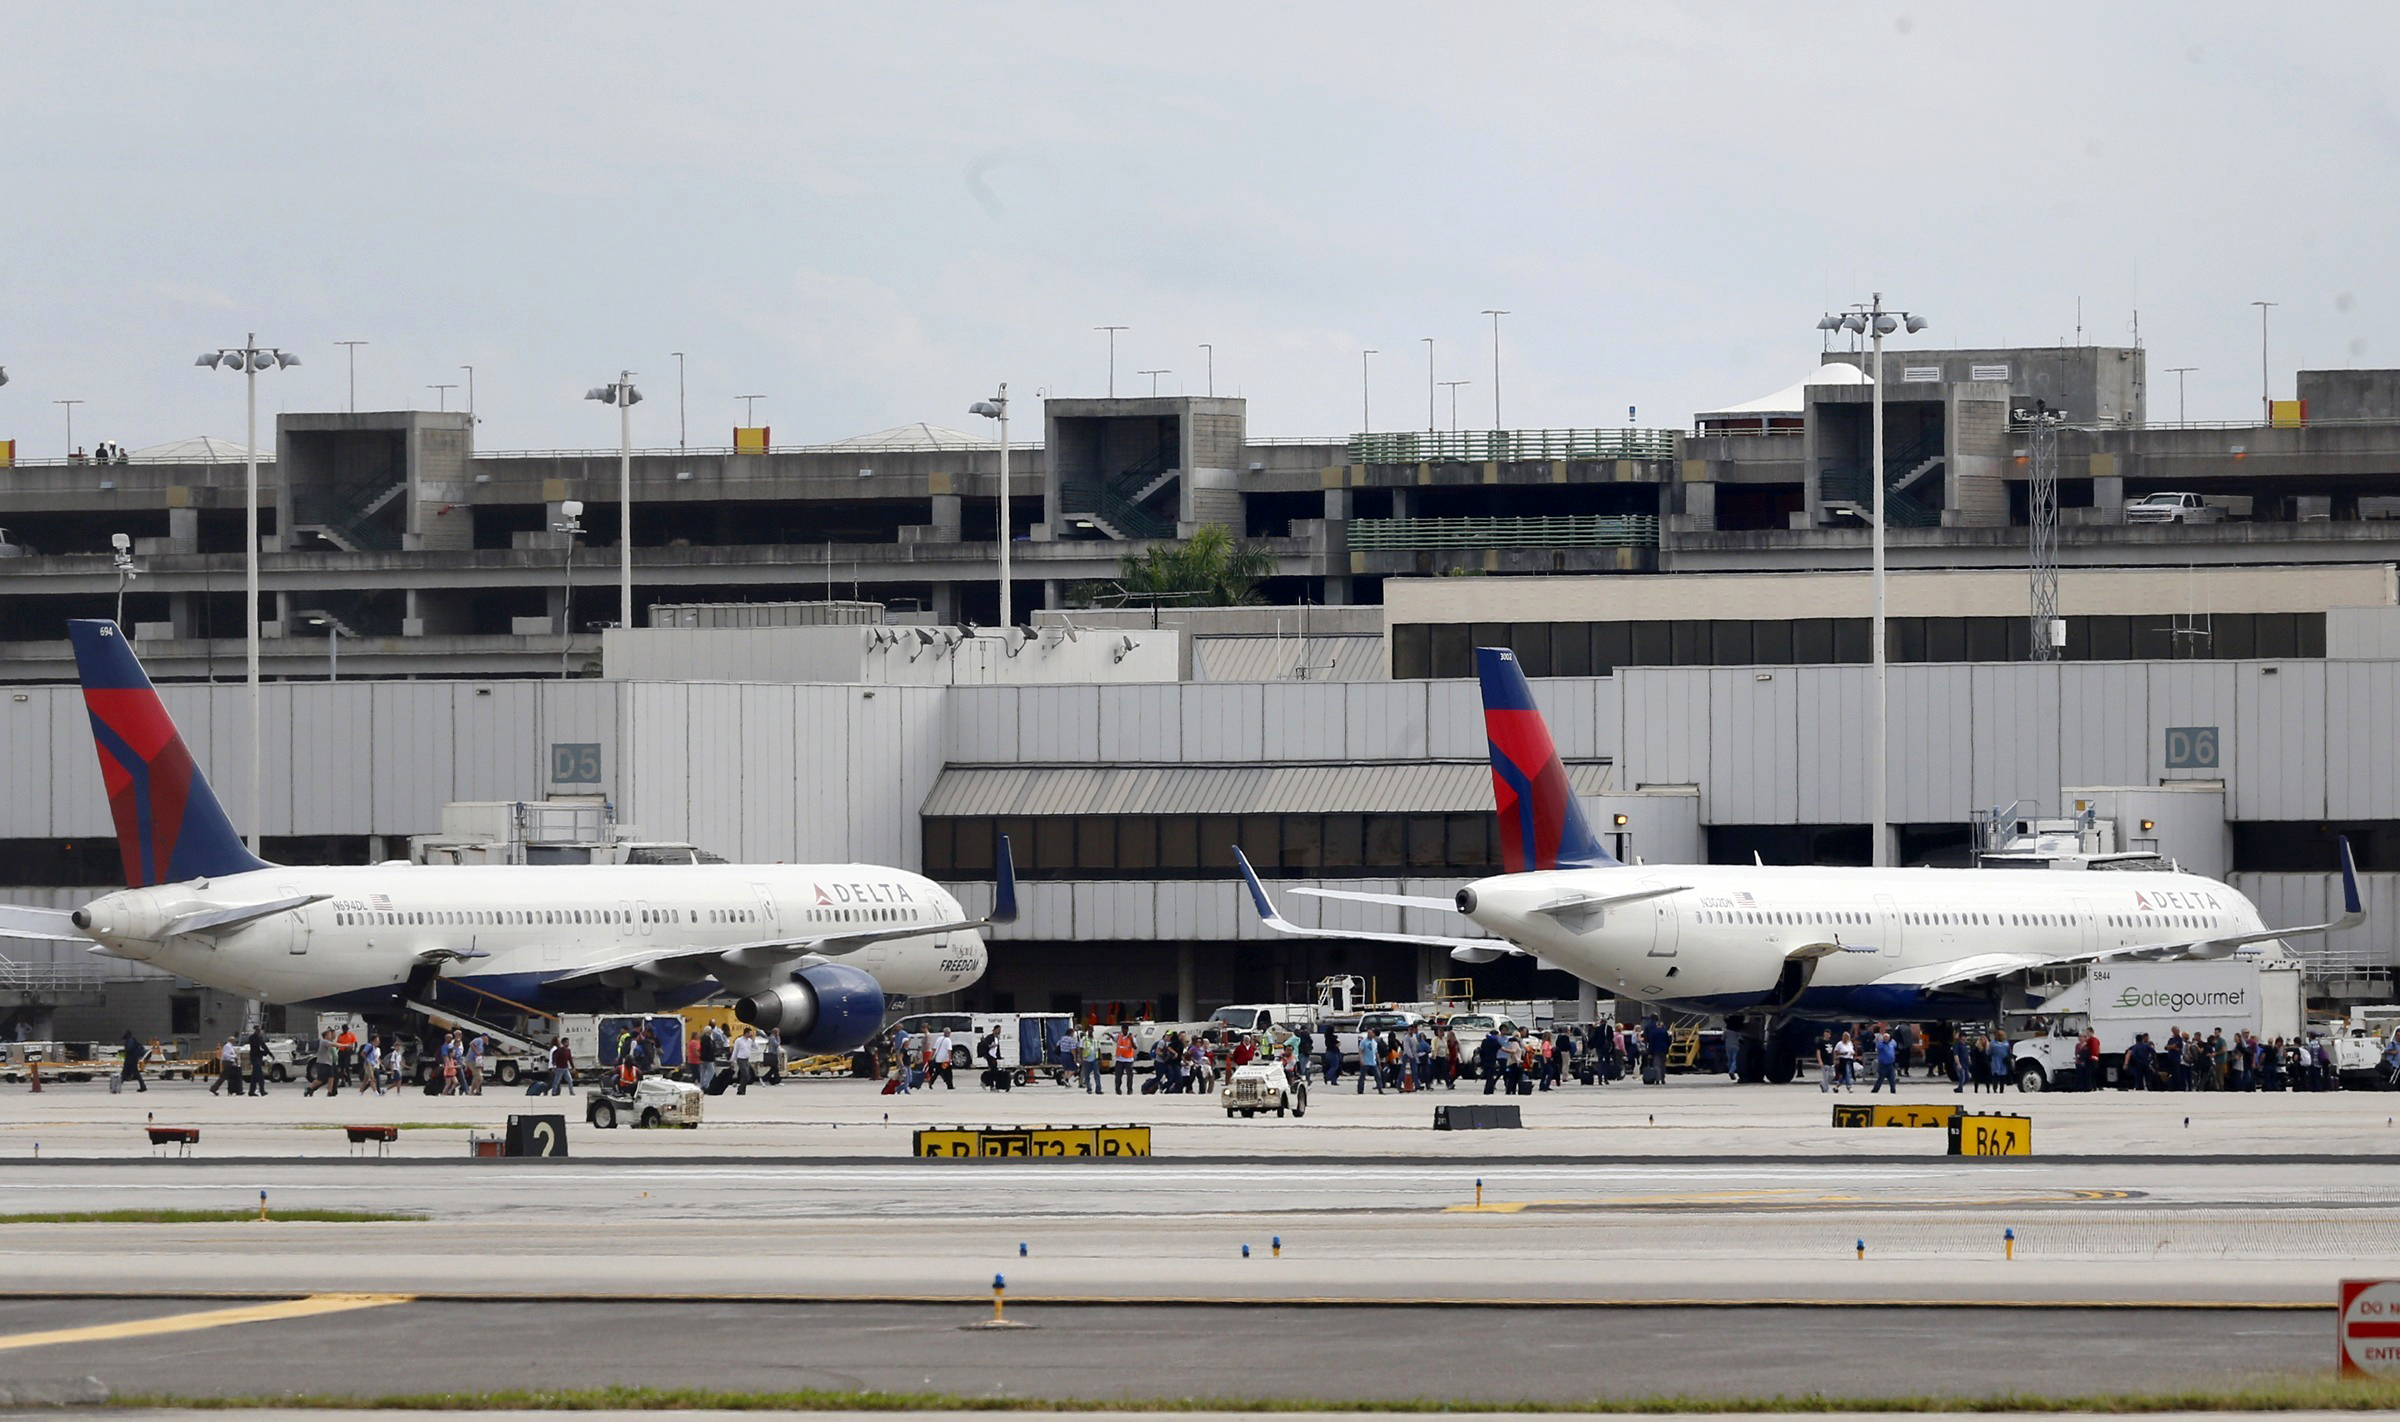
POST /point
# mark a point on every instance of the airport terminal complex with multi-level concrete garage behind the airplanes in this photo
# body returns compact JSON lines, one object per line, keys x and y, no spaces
{"x":805,"y":681}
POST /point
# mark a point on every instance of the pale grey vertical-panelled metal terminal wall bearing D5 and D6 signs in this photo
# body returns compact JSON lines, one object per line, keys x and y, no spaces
{"x":774,"y":772}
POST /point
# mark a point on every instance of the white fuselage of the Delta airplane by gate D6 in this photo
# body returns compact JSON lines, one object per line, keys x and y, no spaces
{"x":1727,"y":940}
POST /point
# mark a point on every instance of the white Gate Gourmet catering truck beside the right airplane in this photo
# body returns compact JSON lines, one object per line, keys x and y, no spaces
{"x":2123,"y":1000}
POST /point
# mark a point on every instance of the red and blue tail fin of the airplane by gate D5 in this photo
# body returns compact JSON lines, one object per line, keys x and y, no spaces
{"x":169,"y":823}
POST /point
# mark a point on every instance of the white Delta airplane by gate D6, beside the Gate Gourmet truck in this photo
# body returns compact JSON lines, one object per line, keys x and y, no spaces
{"x":1770,"y":948}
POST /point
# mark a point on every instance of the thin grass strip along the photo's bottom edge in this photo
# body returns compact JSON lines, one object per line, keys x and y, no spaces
{"x":2291,"y":1394}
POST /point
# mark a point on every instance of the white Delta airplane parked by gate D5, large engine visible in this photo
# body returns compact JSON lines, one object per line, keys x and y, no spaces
{"x":810,"y":950}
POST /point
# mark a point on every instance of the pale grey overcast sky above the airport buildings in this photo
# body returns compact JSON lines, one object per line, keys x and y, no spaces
{"x":872,"y":213}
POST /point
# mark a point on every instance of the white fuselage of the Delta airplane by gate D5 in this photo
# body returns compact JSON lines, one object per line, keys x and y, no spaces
{"x":517,"y":931}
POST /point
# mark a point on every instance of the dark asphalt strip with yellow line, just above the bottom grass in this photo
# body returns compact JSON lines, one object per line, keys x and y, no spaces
{"x":1254,"y":1354}
